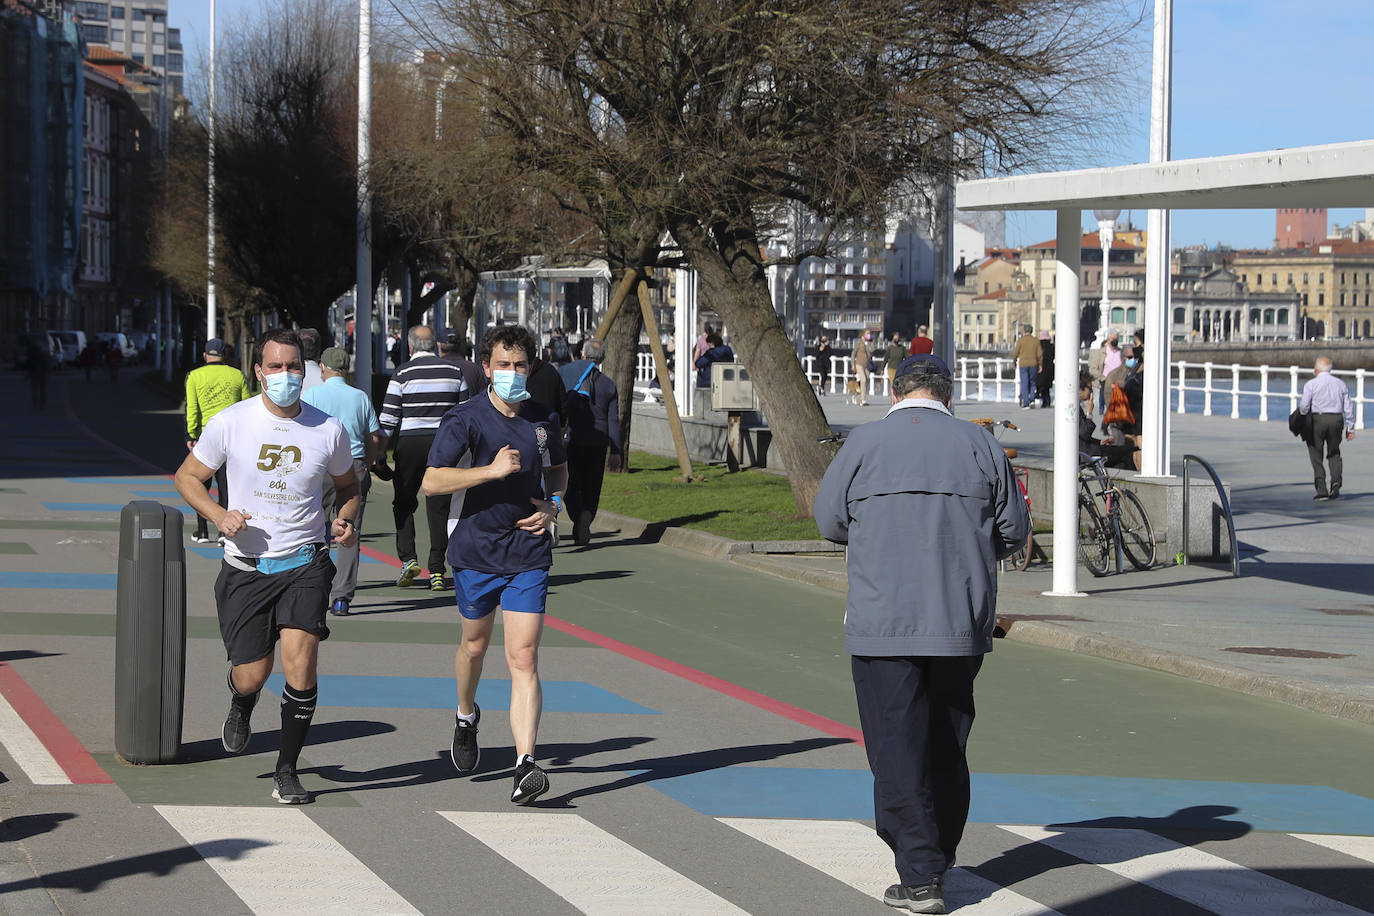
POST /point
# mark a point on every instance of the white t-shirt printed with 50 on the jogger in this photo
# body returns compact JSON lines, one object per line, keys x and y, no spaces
{"x":277,"y":470}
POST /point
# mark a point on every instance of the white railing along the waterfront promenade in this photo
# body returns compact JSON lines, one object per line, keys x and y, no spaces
{"x":1211,"y":389}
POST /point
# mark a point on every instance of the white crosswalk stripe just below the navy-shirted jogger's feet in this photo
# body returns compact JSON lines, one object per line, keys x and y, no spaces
{"x":590,"y":869}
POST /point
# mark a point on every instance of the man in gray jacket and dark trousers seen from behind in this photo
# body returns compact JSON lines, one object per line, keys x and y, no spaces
{"x":927,"y":505}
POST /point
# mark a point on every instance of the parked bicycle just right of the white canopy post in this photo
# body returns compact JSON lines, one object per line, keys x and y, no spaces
{"x":1111,"y":521}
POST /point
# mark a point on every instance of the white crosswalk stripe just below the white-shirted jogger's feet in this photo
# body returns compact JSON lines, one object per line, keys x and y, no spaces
{"x":281,"y":862}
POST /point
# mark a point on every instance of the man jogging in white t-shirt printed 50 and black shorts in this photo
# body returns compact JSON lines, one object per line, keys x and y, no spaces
{"x":277,"y":573}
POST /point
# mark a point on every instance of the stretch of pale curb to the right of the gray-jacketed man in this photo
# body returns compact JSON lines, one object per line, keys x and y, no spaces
{"x":1285,"y":690}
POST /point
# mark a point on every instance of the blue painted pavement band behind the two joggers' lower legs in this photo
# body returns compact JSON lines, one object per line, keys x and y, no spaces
{"x":439,"y":693}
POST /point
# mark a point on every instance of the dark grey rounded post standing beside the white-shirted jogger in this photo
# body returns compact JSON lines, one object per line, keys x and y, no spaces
{"x":150,"y":635}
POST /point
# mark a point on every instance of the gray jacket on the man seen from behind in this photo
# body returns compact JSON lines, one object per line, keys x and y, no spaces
{"x":927,"y":505}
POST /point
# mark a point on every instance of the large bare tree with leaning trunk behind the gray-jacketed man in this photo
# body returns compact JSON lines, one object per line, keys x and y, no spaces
{"x":706,"y":117}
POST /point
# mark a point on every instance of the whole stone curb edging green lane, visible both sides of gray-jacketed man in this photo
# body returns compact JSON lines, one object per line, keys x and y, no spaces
{"x":1285,"y":690}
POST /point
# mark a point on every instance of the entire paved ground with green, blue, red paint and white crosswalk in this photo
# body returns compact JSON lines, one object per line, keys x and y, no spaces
{"x":700,"y":729}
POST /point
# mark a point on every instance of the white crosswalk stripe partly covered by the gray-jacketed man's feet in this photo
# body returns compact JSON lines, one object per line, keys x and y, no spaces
{"x":851,"y":854}
